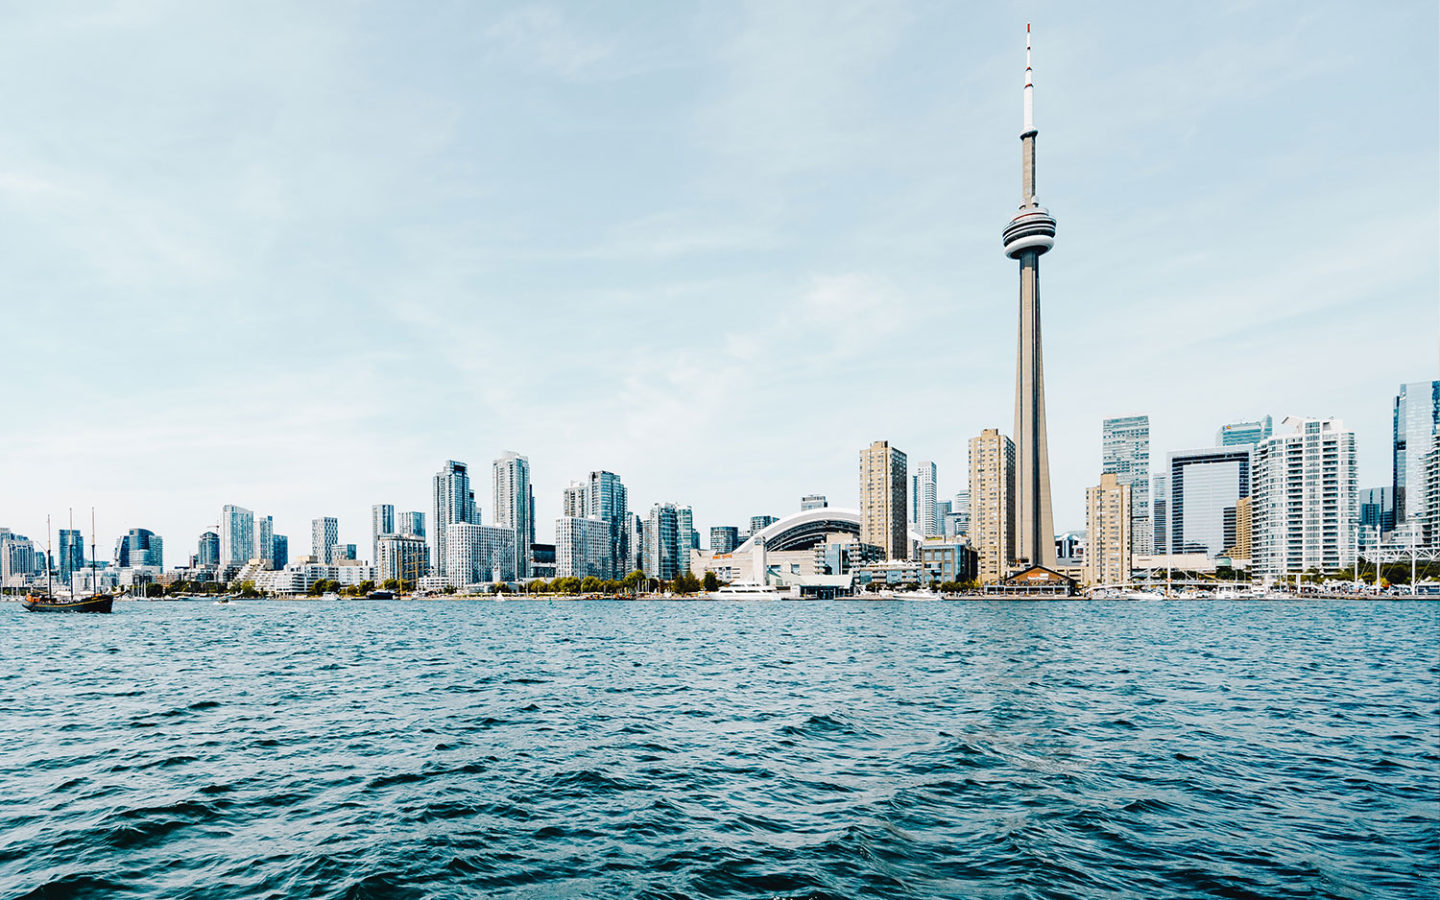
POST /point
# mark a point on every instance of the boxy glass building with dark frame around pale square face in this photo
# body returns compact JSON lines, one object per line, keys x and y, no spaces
{"x":1205,"y":487}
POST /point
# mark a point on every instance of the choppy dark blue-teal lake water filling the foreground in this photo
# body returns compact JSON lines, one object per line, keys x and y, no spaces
{"x":531,"y":750}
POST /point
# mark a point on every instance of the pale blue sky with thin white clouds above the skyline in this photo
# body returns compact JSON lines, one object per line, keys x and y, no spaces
{"x":296,"y":257}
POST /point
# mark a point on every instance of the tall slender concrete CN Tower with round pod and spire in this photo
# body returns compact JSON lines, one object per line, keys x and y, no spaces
{"x":1029,"y":235}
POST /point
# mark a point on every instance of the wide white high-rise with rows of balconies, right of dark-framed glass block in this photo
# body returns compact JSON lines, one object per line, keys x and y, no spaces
{"x":1305,"y":506}
